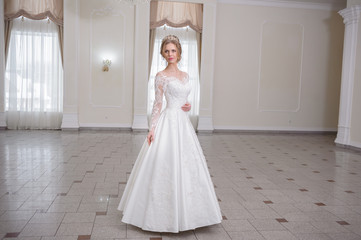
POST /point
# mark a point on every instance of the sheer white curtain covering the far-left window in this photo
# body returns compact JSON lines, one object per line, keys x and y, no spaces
{"x":34,"y":76}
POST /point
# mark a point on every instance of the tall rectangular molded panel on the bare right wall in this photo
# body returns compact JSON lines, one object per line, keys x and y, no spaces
{"x":280,"y":67}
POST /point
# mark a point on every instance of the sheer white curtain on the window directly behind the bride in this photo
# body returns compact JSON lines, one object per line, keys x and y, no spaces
{"x":189,"y":64}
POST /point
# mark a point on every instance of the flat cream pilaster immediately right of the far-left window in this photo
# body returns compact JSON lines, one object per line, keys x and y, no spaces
{"x":71,"y":65}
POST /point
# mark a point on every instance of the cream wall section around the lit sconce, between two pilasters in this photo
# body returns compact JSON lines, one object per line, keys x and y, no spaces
{"x":106,"y":31}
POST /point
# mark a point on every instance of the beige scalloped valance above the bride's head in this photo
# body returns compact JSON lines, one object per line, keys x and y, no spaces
{"x":176,"y":14}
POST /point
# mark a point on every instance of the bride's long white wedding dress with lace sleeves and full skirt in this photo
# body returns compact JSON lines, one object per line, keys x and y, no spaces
{"x":169,"y":188}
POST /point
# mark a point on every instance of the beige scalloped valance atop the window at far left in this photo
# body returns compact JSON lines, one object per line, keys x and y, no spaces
{"x":35,"y":9}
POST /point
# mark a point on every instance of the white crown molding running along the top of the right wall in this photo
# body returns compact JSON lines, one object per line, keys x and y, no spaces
{"x":330,"y":6}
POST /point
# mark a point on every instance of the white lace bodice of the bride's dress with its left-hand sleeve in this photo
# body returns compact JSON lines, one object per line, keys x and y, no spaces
{"x":176,"y":92}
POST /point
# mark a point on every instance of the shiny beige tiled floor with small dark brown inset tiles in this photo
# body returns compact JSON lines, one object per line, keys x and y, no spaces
{"x":67,"y":185}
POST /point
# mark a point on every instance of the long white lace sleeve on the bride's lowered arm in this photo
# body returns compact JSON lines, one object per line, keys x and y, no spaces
{"x":158,"y":101}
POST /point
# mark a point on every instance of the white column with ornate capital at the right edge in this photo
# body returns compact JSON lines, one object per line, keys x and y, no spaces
{"x":351,"y":18}
